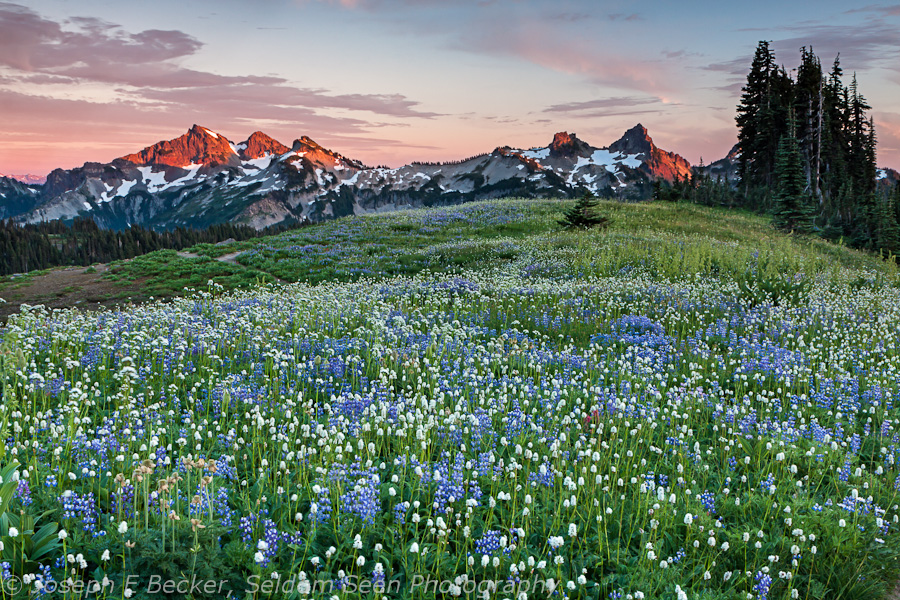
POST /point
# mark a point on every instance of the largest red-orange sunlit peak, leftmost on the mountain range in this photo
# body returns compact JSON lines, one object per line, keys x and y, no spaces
{"x":198,"y":146}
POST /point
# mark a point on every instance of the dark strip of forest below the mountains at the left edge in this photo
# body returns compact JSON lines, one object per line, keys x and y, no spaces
{"x":26,"y":248}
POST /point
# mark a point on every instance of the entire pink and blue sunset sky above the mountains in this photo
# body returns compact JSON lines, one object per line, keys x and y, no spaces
{"x":390,"y":81}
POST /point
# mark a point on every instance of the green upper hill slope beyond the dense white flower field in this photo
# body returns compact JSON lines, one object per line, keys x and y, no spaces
{"x":669,"y":239}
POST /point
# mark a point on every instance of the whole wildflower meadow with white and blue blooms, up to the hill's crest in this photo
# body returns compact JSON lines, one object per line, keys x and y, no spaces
{"x":686,"y":405}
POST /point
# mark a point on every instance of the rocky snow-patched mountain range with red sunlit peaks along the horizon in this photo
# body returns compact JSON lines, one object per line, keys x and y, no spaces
{"x":201,"y":178}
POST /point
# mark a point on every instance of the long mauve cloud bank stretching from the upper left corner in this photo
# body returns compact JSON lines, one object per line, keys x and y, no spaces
{"x":85,"y":49}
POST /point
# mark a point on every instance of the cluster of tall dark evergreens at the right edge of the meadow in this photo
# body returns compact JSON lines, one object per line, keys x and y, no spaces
{"x":807,"y":156}
